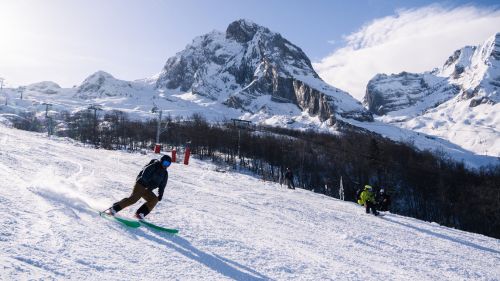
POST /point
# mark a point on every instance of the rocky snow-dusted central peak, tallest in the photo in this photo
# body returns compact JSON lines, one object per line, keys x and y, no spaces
{"x":247,"y":64}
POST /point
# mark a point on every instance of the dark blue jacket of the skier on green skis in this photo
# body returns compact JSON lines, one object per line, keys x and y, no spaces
{"x":153,"y":176}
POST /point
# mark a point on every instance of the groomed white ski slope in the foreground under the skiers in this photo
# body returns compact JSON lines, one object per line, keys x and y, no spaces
{"x":232,"y":226}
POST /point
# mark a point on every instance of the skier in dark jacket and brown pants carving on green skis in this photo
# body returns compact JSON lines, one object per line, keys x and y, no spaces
{"x":154,"y":175}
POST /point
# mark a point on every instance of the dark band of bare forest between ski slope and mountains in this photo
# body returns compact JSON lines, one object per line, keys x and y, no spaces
{"x":423,"y":184}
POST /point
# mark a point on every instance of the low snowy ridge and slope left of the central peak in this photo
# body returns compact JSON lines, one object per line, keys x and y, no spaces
{"x":136,"y":98}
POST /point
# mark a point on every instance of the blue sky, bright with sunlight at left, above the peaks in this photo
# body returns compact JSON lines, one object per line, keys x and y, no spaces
{"x":65,"y":41}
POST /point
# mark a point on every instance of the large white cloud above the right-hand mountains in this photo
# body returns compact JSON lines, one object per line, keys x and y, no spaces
{"x":414,"y":40}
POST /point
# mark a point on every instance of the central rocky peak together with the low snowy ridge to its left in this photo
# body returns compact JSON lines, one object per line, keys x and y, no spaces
{"x":247,"y":72}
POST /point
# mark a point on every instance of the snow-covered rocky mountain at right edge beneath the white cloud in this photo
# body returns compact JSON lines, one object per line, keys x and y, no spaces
{"x":458,"y":102}
